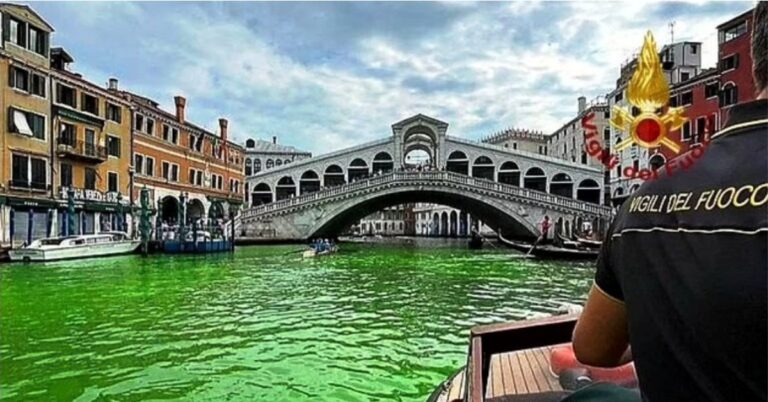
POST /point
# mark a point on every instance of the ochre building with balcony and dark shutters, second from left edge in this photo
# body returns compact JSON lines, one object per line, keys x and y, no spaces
{"x":91,"y":156}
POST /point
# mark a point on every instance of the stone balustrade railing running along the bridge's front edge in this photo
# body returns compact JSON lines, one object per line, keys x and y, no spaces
{"x":400,"y":177}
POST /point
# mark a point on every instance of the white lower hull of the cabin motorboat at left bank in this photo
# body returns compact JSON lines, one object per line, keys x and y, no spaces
{"x":73,"y":252}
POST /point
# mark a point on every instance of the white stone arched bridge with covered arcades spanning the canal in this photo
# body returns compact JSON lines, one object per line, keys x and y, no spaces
{"x":513,"y":190}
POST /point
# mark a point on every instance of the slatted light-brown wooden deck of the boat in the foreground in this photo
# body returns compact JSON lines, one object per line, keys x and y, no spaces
{"x":512,"y":373}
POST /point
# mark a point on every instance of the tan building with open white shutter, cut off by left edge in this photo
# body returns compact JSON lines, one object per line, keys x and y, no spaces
{"x":27,"y":204}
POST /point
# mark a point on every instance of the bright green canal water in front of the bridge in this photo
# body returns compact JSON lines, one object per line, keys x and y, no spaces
{"x":372,"y":323}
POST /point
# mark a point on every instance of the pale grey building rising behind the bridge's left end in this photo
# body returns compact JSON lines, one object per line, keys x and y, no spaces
{"x":261,"y":155}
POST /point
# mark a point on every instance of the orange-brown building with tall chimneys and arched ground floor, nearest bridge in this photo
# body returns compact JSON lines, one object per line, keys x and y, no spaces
{"x":180,"y":162}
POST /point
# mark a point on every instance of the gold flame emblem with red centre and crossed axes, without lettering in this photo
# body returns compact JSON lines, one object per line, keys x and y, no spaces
{"x":648,"y":91}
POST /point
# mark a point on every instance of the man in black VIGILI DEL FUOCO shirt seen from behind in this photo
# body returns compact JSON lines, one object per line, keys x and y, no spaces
{"x":682,"y":274}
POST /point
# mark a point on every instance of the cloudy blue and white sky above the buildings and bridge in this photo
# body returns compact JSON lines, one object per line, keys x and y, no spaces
{"x":323,"y":76}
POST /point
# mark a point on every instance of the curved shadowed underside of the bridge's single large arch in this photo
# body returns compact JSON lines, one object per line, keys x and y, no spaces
{"x":503,"y":215}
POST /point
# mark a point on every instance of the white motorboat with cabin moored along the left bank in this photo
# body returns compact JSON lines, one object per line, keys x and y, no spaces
{"x":69,"y":247}
